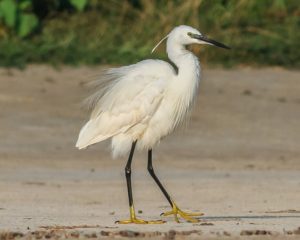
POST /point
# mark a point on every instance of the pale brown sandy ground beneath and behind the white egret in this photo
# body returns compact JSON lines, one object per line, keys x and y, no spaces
{"x":238,"y":161}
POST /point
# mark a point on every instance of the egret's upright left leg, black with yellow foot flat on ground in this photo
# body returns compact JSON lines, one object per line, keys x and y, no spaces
{"x":133,"y":218}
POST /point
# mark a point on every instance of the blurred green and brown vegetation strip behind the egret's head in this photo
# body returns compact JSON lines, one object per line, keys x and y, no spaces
{"x":261,"y":32}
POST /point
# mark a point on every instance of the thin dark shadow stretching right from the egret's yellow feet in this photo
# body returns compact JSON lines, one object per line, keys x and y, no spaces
{"x":235,"y":218}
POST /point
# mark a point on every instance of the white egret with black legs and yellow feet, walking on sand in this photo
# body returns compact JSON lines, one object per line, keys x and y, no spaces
{"x":140,"y":104}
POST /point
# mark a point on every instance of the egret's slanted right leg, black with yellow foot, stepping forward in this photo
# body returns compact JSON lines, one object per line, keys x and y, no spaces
{"x":175,"y":209}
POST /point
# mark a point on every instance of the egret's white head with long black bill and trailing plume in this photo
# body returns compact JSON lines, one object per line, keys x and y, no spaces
{"x":186,"y":35}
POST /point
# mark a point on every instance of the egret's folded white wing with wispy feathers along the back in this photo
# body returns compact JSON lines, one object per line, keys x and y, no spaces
{"x":131,"y":98}
